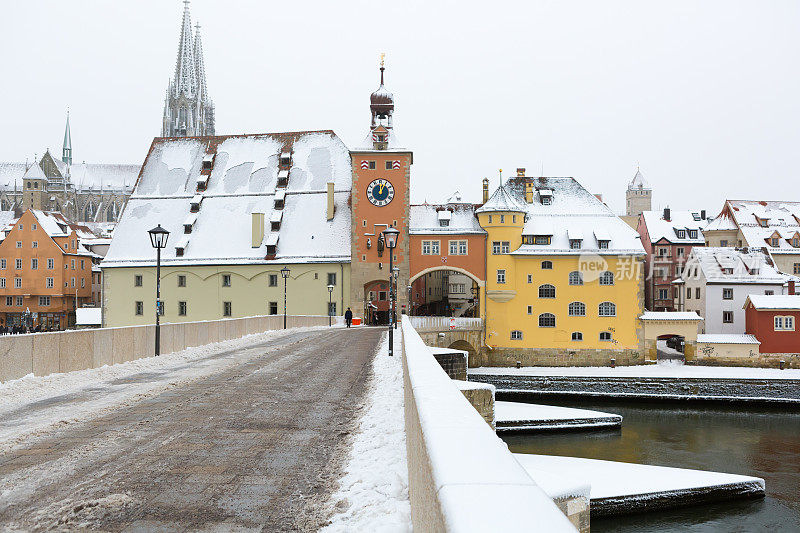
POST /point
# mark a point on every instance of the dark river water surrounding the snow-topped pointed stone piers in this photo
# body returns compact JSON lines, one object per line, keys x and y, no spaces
{"x":742,"y":440}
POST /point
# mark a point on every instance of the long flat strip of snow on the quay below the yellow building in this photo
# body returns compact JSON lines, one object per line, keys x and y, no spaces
{"x":665,"y":369}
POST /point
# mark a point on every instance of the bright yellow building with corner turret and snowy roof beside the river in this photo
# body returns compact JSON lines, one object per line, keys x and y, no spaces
{"x":564,"y":278}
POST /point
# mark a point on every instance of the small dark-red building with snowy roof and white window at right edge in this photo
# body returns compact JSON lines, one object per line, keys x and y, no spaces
{"x":774,"y":320}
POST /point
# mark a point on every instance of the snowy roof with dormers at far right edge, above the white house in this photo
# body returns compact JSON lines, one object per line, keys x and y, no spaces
{"x":780,"y":216}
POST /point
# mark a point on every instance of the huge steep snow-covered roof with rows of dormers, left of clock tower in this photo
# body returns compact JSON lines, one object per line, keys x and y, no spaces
{"x":242,"y":181}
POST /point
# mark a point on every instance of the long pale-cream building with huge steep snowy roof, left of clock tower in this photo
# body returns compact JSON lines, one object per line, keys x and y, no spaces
{"x":238,"y":209}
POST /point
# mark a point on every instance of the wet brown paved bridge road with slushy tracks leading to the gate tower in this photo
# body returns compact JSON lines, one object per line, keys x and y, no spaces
{"x":251,"y":445}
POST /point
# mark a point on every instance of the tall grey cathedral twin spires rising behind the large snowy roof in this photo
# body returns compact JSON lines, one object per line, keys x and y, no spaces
{"x":188,"y":111}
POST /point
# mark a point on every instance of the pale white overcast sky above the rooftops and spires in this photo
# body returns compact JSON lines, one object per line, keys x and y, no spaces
{"x":703,"y":95}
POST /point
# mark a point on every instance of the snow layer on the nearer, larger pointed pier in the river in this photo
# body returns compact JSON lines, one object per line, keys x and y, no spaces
{"x":609,"y":479}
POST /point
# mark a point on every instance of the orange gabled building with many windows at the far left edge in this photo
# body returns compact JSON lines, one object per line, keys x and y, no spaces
{"x":45,"y":272}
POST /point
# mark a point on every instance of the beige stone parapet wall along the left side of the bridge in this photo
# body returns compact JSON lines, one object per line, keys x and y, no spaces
{"x":64,"y":351}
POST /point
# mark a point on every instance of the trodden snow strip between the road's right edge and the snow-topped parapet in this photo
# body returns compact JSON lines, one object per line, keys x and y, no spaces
{"x":373,"y":493}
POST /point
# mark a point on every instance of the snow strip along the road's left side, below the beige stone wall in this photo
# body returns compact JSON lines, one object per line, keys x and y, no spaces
{"x":33,"y":405}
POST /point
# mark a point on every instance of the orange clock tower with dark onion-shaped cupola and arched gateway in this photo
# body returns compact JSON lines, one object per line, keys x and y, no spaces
{"x":380,"y":198}
